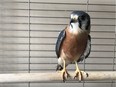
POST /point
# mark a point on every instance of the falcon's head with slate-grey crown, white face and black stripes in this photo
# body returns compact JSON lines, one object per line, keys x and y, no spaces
{"x":80,"y":19}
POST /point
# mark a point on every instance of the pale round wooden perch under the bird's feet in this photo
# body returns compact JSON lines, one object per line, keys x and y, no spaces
{"x":54,"y":76}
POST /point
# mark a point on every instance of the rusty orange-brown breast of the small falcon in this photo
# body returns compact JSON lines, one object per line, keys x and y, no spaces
{"x":74,"y":45}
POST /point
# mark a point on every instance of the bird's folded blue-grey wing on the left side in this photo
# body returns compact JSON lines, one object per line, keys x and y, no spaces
{"x":59,"y":42}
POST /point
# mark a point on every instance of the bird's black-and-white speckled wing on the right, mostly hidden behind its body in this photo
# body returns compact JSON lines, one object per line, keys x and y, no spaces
{"x":87,"y":50}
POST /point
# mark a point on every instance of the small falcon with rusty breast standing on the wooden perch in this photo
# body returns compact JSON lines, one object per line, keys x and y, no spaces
{"x":74,"y":44}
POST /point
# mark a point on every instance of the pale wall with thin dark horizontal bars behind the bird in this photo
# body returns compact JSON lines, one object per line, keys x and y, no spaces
{"x":46,"y":19}
